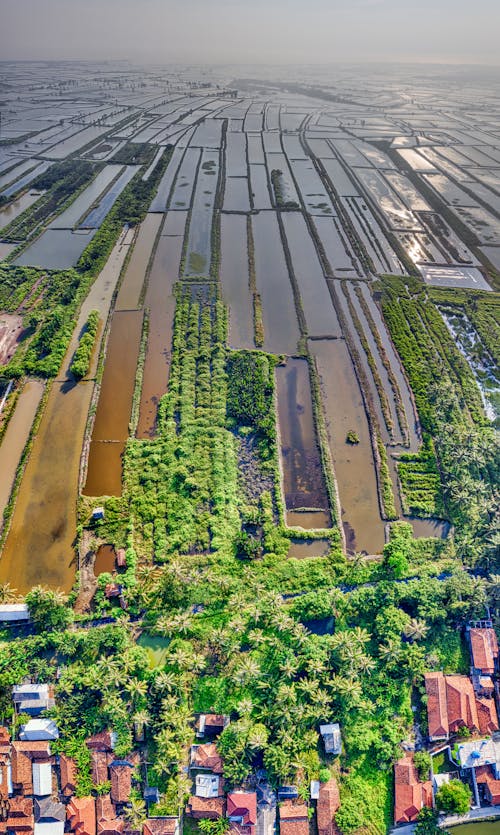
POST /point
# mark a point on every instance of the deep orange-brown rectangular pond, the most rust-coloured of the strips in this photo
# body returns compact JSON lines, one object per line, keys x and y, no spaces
{"x":111,"y":427}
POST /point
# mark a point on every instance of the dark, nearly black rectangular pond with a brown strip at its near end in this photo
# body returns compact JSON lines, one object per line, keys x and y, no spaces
{"x":303,"y":482}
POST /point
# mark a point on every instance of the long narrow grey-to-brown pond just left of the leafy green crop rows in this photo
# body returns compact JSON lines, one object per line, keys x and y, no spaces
{"x":161,"y":303}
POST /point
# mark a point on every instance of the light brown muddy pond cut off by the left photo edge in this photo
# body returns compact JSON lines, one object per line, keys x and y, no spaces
{"x":16,"y":436}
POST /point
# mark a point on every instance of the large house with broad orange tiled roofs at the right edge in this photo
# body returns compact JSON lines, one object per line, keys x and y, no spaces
{"x":452,"y":704}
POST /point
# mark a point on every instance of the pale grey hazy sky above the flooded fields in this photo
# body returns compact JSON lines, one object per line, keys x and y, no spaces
{"x":252,"y":31}
